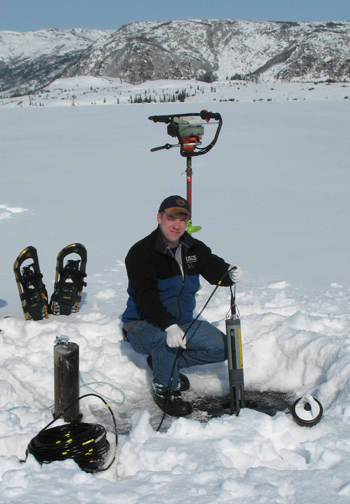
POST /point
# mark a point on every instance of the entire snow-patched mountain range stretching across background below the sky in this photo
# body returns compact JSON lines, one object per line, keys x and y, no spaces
{"x":190,"y":49}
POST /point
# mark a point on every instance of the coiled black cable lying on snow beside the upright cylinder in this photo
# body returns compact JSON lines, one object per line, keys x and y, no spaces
{"x":85,"y":443}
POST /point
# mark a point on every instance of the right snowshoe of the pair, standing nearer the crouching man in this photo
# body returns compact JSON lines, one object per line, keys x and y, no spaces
{"x":69,"y":280}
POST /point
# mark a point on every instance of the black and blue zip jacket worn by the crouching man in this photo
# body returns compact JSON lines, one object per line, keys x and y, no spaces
{"x":158,"y":291}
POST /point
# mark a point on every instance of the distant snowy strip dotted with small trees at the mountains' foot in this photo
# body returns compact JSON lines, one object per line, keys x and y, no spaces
{"x":107,"y":91}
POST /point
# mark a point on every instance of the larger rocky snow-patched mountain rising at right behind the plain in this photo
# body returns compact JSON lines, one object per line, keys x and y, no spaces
{"x":201,"y":49}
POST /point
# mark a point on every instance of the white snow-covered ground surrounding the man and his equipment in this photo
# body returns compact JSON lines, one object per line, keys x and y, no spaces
{"x":273,"y":196}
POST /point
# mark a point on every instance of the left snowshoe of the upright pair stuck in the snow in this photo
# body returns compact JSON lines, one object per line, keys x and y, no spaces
{"x":31,"y":288}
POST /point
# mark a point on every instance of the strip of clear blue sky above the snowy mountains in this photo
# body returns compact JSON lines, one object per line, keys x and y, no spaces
{"x":25,"y":15}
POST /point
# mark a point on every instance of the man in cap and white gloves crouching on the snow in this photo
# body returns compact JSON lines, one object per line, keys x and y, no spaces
{"x":163,"y":271}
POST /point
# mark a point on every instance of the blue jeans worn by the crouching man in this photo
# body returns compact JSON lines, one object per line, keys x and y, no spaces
{"x":205,"y":345}
